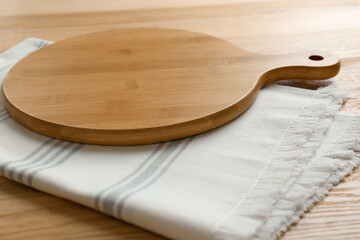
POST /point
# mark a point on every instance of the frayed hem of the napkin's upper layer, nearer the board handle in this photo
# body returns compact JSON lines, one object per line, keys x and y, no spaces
{"x":298,"y":145}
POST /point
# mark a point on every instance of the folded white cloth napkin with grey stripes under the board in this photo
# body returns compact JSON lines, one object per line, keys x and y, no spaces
{"x":249,"y":179}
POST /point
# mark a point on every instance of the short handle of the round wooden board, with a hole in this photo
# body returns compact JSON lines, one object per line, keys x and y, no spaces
{"x":311,"y":65}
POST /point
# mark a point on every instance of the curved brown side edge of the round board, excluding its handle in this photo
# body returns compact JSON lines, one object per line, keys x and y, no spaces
{"x":132,"y":137}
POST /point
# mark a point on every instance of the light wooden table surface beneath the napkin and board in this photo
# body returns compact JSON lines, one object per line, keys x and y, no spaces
{"x":266,"y":26}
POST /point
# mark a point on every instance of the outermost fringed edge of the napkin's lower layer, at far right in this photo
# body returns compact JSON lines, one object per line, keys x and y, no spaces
{"x":332,"y":166}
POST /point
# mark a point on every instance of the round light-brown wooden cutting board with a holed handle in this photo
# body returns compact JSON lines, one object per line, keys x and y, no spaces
{"x":147,"y":85}
